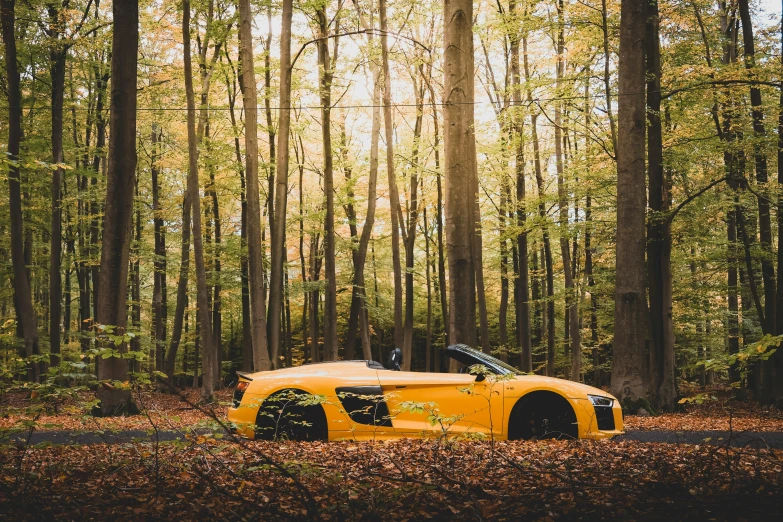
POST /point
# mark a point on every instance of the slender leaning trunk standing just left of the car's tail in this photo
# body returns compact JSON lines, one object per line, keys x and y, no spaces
{"x":209,"y":358}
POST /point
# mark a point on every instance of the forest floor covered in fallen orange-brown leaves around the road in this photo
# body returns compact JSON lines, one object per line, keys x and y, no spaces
{"x":212,"y":476}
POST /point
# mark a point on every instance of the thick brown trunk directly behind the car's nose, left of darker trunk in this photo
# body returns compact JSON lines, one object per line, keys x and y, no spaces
{"x":629,"y":372}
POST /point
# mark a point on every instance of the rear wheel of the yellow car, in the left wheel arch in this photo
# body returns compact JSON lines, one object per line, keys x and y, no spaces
{"x":291,"y":415}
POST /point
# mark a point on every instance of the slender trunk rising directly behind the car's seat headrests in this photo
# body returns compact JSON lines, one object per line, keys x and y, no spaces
{"x":394,"y":198}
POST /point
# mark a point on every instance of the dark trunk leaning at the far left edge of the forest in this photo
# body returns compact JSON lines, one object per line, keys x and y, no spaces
{"x":25,"y":313}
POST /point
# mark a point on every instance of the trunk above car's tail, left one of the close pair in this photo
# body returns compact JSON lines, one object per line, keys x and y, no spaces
{"x":261,"y":360}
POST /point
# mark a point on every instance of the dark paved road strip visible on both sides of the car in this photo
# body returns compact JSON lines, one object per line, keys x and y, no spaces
{"x":737,"y":439}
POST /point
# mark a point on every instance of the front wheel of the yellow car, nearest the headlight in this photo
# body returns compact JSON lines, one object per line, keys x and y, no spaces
{"x":542,"y":415}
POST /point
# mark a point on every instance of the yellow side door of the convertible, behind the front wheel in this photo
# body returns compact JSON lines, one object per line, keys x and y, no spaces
{"x":436,"y":403}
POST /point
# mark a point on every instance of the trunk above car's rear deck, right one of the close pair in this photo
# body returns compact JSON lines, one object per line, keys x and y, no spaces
{"x":281,"y":190}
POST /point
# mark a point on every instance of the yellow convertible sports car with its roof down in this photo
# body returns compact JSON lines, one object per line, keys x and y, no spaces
{"x":363,"y":400}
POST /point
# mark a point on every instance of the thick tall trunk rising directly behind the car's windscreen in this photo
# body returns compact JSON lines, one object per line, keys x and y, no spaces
{"x":460,"y":168}
